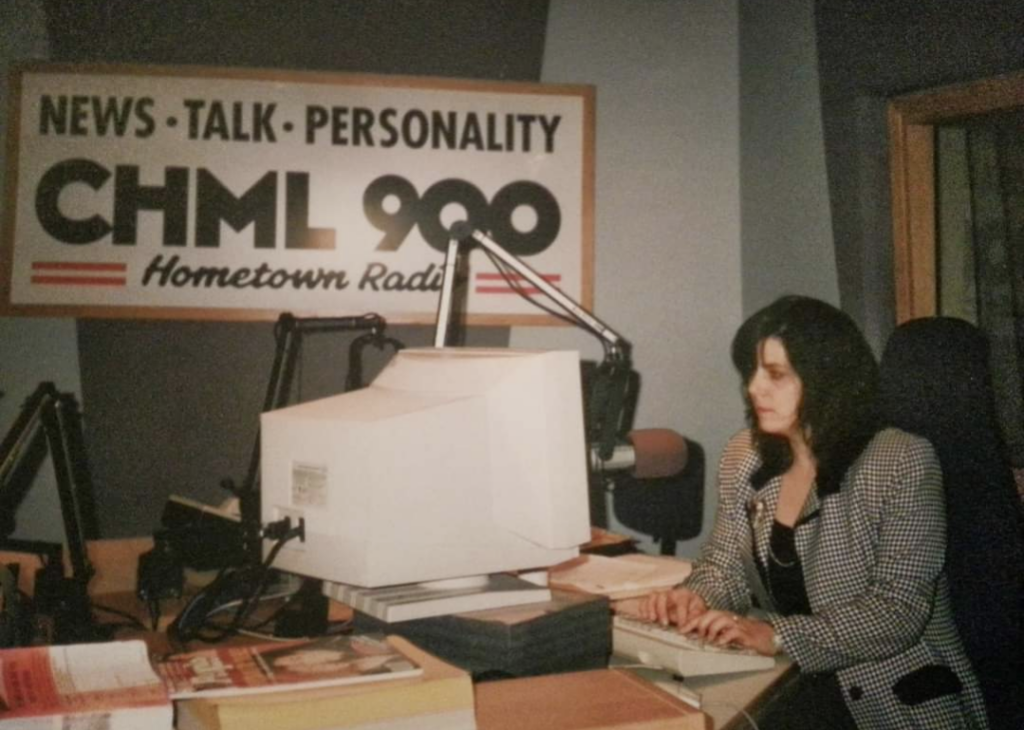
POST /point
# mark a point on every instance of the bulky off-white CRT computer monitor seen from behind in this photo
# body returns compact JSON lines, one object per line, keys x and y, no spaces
{"x":453,"y":463}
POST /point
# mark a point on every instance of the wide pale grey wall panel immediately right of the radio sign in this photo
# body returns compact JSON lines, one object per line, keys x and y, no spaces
{"x":668,"y":249}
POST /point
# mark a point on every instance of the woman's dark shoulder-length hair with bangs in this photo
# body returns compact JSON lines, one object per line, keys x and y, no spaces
{"x":839,"y":412}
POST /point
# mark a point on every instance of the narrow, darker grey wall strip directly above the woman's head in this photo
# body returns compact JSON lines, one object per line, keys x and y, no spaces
{"x":787,"y":224}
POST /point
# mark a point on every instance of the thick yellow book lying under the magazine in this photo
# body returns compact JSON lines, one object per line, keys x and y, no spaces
{"x":441,"y":699}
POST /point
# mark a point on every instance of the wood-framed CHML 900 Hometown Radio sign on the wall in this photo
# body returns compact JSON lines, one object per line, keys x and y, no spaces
{"x":231,"y":194}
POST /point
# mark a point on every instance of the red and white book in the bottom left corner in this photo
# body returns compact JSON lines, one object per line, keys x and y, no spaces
{"x":110,"y":685}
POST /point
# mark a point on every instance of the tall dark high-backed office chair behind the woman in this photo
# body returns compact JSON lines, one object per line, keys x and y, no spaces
{"x":935,"y":383}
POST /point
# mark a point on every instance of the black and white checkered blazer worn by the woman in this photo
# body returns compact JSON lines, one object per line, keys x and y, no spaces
{"x":873,"y":562}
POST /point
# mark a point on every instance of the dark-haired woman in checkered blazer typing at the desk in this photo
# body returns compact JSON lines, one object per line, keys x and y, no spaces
{"x":836,"y":528}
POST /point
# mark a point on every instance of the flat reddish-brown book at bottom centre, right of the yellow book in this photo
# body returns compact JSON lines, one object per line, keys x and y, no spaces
{"x":595,"y":700}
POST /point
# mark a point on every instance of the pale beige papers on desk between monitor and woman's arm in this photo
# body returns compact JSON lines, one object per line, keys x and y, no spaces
{"x":622,"y":577}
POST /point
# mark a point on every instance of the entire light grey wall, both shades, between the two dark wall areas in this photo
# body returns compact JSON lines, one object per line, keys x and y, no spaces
{"x":712,"y":195}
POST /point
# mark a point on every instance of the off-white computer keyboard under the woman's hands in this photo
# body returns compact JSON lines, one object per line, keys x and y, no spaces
{"x":666,"y":649}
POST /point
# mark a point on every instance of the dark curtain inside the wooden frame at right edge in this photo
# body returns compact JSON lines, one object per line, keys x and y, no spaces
{"x":996,"y":160}
